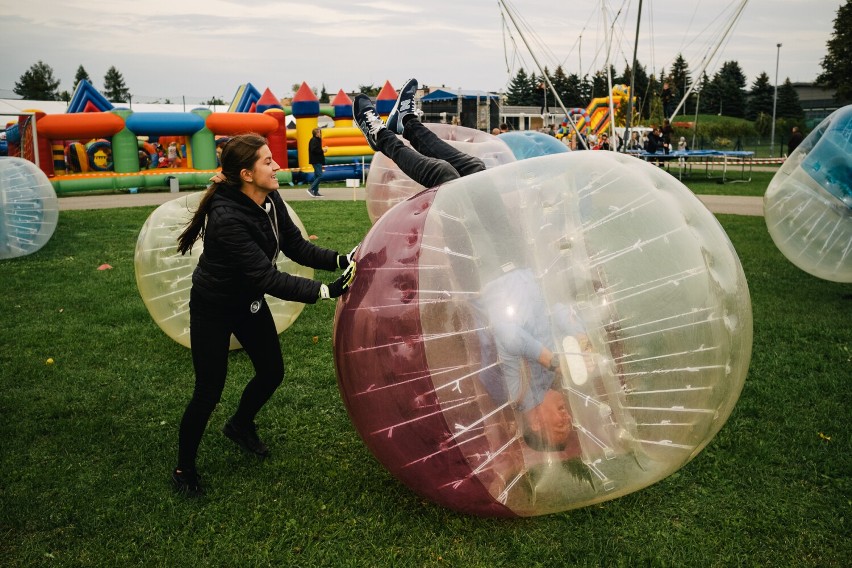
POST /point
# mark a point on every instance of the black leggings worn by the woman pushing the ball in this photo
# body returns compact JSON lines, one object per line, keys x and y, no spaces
{"x":210,"y":329}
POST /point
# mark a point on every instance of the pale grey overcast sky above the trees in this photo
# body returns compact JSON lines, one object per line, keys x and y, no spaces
{"x":200,"y":49}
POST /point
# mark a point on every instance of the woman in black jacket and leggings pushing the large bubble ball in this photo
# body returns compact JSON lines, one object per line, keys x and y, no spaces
{"x":244,"y":224}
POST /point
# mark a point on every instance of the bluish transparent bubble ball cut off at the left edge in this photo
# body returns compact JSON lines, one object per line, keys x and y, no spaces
{"x":29,"y":208}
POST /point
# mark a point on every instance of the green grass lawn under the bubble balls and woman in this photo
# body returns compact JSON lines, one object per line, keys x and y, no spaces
{"x":88,"y":442}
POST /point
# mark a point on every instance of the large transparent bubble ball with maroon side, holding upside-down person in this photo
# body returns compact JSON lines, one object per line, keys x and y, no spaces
{"x":608,"y":261}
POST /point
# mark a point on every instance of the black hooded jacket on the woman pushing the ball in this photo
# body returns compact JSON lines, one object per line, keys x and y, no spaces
{"x":239,"y":244}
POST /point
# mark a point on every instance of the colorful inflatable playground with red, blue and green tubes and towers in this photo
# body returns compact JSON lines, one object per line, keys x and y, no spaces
{"x":95,"y":146}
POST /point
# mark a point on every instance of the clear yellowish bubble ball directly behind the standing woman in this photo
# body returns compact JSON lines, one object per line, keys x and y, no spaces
{"x":164,"y":276}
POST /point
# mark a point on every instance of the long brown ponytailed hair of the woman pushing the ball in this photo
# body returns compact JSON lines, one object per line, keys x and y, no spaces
{"x":238,"y":154}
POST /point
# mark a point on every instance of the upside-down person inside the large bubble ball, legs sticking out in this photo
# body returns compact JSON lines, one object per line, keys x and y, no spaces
{"x":523,"y":343}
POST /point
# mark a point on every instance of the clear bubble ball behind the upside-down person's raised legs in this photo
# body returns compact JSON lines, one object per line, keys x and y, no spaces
{"x":386,"y":184}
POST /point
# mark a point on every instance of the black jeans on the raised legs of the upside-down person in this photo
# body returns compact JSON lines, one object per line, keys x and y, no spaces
{"x":432,"y":161}
